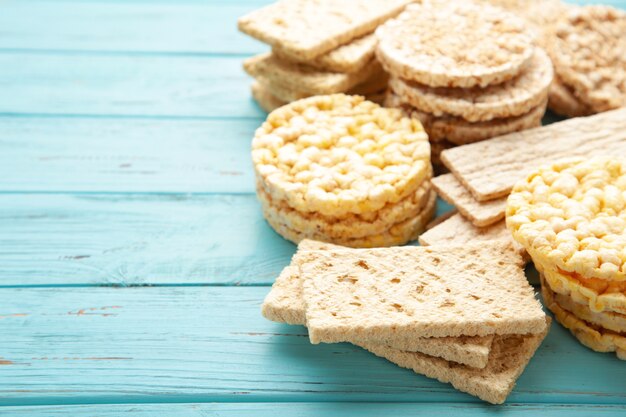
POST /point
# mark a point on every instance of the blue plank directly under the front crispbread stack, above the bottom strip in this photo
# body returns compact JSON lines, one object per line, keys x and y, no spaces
{"x":210,"y":344}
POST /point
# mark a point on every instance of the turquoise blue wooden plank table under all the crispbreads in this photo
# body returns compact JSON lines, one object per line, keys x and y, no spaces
{"x":133,"y":254}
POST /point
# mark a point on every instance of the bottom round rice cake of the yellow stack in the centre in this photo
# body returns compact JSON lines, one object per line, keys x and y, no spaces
{"x":397,"y":234}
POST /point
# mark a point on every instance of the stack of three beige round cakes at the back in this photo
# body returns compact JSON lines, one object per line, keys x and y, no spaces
{"x":467,"y":71}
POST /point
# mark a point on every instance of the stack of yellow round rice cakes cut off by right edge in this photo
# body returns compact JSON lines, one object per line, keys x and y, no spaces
{"x":571,"y":218}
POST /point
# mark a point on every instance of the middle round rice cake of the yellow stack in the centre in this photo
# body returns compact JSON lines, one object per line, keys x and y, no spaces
{"x":352,"y":225}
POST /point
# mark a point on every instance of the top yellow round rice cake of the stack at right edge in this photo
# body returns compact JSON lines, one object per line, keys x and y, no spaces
{"x":572,"y":215}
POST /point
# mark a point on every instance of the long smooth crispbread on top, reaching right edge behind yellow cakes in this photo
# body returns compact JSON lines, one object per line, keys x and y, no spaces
{"x":489,"y":169}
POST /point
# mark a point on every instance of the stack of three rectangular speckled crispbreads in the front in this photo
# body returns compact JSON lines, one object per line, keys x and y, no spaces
{"x":461,"y":314}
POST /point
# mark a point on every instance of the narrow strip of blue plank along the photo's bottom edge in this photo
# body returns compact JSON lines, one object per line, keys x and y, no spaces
{"x":319,"y":409}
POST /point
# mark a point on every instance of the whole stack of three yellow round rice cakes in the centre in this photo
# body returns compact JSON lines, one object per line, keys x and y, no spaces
{"x":344,"y":170}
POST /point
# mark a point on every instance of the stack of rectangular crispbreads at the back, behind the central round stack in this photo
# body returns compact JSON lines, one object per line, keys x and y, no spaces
{"x":318,"y":47}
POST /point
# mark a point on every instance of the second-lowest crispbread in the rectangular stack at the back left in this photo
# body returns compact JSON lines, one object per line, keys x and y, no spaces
{"x":306,"y":79}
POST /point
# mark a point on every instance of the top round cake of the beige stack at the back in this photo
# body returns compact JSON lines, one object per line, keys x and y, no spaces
{"x":454,"y":44}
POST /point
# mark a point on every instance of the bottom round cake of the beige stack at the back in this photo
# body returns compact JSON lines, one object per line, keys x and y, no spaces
{"x":461,"y":132}
